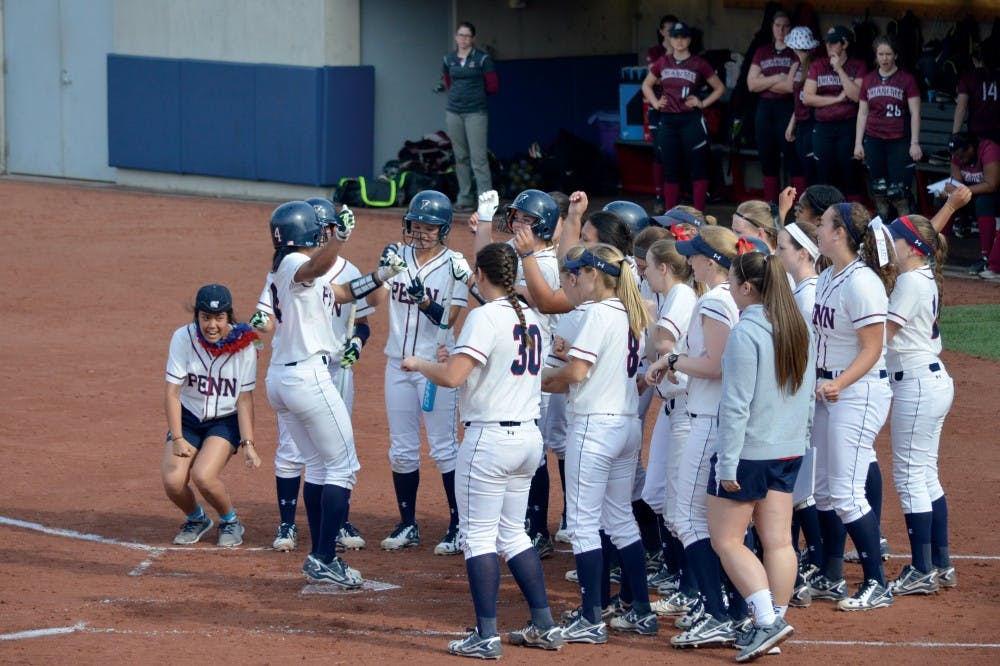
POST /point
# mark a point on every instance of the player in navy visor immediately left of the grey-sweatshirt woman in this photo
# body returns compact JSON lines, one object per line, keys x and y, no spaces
{"x":710,"y":255}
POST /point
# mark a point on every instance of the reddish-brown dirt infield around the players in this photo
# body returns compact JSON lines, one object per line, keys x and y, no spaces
{"x":96,"y":286}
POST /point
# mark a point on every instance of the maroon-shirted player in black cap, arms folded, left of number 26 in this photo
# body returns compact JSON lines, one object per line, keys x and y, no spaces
{"x":832,"y":88}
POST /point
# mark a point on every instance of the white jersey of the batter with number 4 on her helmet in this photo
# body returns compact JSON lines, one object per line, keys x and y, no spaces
{"x":303,"y":314}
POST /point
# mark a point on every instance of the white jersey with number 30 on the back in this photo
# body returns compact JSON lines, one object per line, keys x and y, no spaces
{"x":506,"y":383}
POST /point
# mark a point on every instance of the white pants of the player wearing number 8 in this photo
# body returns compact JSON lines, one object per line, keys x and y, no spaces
{"x":600,"y":466}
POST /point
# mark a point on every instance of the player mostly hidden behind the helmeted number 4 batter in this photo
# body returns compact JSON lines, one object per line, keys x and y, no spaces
{"x":288,"y":460}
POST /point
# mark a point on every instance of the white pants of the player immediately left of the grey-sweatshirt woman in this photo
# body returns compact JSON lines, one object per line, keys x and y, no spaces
{"x":691,"y":513}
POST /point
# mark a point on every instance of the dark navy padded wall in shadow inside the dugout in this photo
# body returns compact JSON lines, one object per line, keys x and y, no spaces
{"x":539,"y":97}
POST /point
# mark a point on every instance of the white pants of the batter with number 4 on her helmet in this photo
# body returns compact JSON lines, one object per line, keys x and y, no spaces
{"x":310,"y":406}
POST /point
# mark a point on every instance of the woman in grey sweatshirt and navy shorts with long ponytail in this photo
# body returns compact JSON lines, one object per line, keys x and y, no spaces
{"x":763,"y":424}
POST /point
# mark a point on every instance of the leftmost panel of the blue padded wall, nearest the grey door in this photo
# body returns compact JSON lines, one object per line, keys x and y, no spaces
{"x":144,"y":119}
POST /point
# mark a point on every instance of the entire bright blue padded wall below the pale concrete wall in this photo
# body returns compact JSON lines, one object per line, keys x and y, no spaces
{"x":250,"y":121}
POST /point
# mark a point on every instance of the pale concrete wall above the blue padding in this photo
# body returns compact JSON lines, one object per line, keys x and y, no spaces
{"x":309,"y":33}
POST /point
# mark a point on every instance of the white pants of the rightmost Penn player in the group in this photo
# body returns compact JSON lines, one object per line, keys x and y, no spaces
{"x":920,"y":402}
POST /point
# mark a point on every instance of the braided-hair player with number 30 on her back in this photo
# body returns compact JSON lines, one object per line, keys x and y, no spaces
{"x":497,"y":362}
